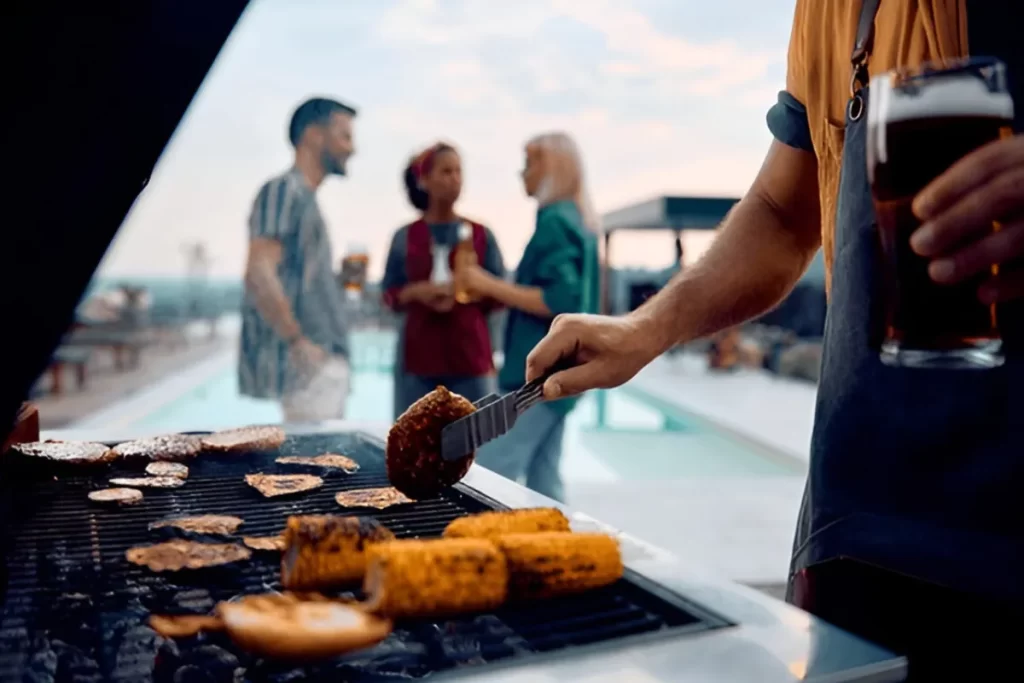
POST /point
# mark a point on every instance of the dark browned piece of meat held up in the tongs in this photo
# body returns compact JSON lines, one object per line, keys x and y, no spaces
{"x":415,"y":465}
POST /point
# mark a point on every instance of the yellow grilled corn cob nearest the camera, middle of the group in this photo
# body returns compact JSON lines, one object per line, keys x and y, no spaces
{"x":438,"y":578}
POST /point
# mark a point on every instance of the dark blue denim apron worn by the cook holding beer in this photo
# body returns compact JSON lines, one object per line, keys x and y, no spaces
{"x":917,"y":472}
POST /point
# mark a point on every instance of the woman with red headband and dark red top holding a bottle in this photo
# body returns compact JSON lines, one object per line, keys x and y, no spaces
{"x":442,"y":343}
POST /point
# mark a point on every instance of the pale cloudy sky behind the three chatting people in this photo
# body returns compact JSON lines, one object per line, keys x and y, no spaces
{"x":663,"y":97}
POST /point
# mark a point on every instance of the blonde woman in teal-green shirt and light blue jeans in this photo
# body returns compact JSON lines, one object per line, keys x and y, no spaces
{"x":559,"y":274}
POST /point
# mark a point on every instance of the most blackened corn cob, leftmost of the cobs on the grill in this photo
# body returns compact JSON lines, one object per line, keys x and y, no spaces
{"x":328,"y":550}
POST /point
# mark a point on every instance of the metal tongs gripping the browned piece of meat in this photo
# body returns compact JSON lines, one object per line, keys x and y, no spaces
{"x":494,"y":417}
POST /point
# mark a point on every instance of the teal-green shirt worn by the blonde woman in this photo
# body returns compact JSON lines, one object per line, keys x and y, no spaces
{"x":562,"y":260}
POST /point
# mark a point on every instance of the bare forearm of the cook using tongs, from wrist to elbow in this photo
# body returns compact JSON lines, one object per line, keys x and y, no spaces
{"x":750,"y":269}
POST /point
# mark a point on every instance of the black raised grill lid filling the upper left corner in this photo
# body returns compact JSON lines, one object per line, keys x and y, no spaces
{"x":109,"y":90}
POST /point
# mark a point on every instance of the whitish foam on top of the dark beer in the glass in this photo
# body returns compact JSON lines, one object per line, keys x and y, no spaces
{"x":953,"y":96}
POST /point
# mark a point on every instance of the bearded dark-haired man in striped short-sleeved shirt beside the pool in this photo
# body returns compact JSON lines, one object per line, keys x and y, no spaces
{"x":294,"y":337}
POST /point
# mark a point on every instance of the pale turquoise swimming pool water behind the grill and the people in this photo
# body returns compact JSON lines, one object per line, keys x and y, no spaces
{"x":622,"y":435}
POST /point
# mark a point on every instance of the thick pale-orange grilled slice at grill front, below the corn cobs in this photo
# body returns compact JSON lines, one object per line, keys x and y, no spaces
{"x":289,"y":627}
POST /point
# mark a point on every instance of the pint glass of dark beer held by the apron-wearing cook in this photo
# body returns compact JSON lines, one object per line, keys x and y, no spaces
{"x":920,"y":123}
